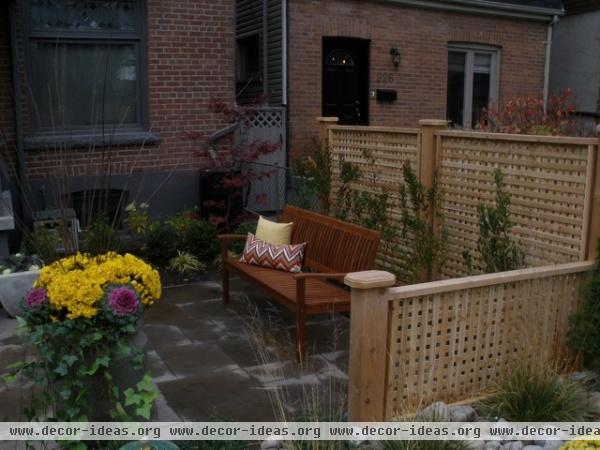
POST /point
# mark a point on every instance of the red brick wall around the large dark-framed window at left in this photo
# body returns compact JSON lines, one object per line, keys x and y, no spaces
{"x":190,"y":62}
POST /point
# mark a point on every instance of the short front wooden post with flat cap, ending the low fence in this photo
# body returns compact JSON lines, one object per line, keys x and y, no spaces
{"x":368,"y":344}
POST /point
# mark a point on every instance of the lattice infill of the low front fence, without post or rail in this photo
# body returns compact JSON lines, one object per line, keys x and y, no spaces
{"x":451,"y":346}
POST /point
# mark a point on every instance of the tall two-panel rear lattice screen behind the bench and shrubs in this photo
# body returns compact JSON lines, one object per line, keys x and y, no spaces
{"x":549,"y":179}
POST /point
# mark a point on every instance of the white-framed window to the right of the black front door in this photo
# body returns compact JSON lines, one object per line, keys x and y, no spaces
{"x":472,"y":82}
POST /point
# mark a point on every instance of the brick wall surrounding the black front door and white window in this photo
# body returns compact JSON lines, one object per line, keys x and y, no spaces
{"x":422,"y":38}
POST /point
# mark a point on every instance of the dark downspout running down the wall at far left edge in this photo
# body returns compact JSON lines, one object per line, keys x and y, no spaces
{"x":21,"y":164}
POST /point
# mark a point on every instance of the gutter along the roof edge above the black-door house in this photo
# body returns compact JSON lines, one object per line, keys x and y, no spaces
{"x":483,"y":7}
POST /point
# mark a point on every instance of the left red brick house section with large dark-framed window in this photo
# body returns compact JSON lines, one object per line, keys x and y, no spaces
{"x":78,"y":77}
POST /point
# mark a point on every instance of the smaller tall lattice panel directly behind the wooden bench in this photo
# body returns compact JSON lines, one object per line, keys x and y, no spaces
{"x":380,"y":154}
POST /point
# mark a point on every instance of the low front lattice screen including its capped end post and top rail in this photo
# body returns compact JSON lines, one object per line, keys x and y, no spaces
{"x":448,"y":340}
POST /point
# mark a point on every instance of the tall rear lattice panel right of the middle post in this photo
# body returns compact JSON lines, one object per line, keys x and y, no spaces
{"x":546,"y":180}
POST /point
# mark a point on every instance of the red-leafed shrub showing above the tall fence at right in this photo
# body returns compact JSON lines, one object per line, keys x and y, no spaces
{"x":525,"y":115}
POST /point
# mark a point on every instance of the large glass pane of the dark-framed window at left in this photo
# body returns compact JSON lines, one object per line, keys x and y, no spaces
{"x":80,"y":85}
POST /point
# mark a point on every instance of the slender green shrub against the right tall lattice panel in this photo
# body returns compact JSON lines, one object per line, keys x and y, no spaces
{"x":498,"y":252}
